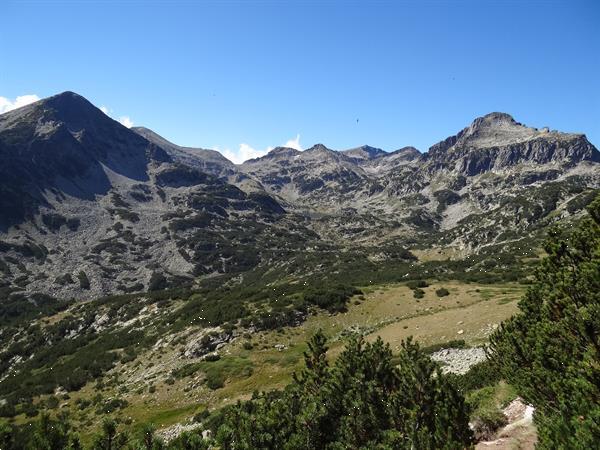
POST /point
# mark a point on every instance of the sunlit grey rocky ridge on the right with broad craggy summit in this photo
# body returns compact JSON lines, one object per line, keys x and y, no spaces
{"x":494,"y":167}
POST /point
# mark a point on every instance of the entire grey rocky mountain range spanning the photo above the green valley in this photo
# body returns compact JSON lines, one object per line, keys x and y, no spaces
{"x":89,"y":207}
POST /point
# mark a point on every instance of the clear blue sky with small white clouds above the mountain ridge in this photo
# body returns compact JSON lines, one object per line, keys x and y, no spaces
{"x":246,"y":76}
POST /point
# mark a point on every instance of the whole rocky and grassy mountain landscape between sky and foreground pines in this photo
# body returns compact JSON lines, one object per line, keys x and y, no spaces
{"x":151,"y":282}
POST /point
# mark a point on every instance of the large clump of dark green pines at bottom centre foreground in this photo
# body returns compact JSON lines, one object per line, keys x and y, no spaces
{"x":362,"y":401}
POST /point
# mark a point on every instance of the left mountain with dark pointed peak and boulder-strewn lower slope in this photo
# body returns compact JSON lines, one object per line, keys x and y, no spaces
{"x":90,"y":207}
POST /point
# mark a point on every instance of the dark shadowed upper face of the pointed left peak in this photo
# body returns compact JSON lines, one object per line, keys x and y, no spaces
{"x":64,"y":145}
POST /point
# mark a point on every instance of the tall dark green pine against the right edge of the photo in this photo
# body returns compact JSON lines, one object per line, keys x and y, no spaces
{"x":551,"y":351}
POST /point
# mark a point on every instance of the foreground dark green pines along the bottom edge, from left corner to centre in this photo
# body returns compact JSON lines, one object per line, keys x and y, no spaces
{"x":365,"y":400}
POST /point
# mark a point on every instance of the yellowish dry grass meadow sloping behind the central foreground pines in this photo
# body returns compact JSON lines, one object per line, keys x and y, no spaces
{"x":388,"y":311}
